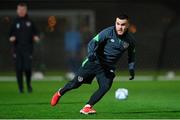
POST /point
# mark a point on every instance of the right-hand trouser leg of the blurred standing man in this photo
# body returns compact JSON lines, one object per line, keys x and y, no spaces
{"x":28,"y":70}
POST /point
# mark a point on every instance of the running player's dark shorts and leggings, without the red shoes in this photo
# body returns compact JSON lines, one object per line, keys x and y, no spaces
{"x":86,"y":74}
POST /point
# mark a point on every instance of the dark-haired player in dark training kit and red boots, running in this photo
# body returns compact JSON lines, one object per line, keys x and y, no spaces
{"x":104,"y":50}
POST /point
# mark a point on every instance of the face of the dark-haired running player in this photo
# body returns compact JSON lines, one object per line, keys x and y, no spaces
{"x":121,"y":26}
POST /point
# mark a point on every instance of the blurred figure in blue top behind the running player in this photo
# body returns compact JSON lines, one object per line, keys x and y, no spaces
{"x":72,"y":41}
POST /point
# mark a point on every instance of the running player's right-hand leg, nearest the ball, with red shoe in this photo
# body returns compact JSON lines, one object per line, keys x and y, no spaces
{"x":105,"y":82}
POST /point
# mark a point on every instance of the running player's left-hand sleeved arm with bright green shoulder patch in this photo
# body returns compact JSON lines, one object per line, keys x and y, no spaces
{"x":95,"y":42}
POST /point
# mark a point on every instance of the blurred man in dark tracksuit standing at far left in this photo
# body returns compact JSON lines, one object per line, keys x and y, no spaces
{"x":23,"y":34}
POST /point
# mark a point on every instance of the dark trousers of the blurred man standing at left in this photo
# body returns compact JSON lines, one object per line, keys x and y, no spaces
{"x":23,"y":62}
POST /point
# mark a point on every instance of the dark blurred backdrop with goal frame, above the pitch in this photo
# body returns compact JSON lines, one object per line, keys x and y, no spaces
{"x":157,"y":31}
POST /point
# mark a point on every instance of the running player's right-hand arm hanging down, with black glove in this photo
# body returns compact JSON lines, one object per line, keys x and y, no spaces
{"x":131,"y":60}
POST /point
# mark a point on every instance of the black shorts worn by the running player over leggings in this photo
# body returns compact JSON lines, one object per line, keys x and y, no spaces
{"x":89,"y":70}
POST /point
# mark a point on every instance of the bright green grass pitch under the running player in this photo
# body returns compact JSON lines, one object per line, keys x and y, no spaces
{"x":147,"y":99}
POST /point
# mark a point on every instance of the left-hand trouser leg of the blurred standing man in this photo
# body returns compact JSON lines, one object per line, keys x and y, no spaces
{"x":19,"y":71}
